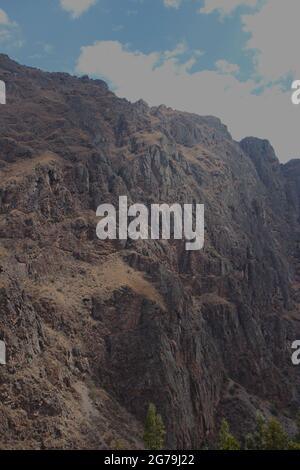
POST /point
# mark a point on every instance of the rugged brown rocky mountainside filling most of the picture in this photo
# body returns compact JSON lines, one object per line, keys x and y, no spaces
{"x":95,"y":330}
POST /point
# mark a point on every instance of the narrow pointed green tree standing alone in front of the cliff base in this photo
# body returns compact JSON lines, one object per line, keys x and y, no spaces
{"x":154,"y":433}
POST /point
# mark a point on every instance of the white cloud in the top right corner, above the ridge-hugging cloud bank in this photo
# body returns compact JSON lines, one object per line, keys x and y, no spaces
{"x":275,"y":37}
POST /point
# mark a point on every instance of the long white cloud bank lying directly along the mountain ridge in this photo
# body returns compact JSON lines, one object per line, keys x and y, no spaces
{"x":160,"y":78}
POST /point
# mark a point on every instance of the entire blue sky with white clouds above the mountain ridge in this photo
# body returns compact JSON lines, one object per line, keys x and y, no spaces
{"x":235,"y":59}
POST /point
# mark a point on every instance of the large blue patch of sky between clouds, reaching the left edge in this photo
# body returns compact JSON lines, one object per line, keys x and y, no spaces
{"x":145,"y":25}
